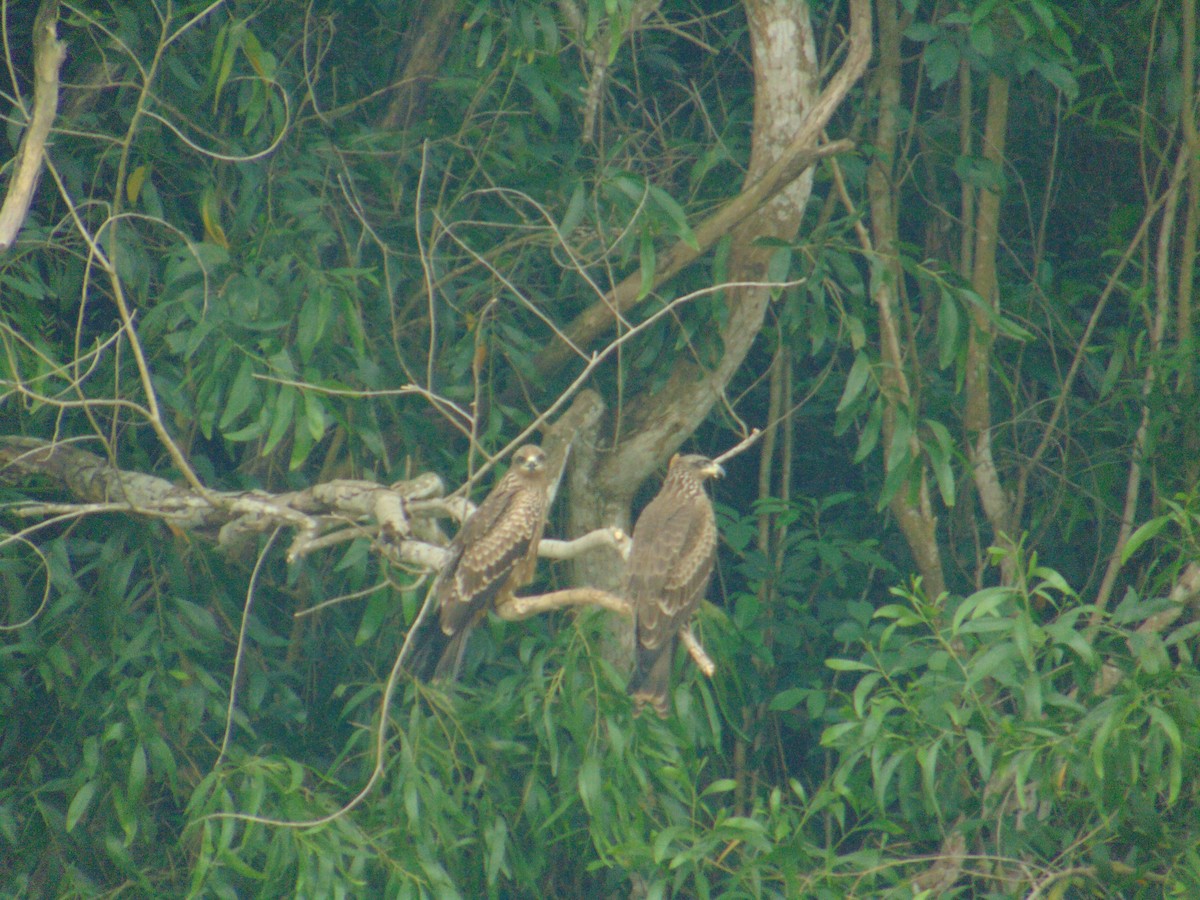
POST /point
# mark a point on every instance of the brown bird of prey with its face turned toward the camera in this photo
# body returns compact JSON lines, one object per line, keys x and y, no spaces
{"x":495,"y":554}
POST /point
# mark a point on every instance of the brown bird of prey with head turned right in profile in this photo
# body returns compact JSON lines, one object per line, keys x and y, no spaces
{"x":670,"y":563}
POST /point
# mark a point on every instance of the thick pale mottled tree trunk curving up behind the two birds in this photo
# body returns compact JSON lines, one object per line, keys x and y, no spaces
{"x":653,"y":427}
